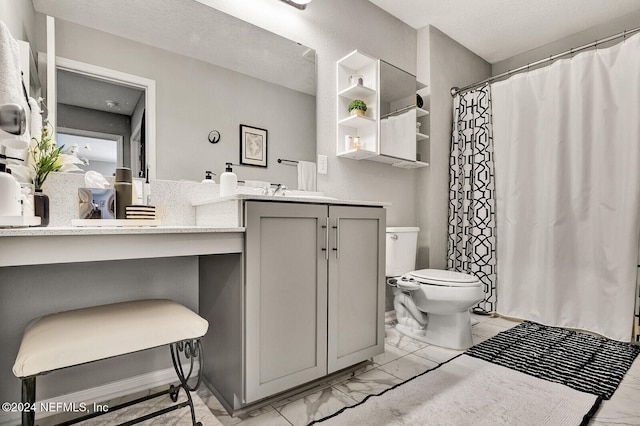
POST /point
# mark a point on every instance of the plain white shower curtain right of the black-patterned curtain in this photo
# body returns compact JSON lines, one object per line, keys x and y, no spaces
{"x":567,"y":167}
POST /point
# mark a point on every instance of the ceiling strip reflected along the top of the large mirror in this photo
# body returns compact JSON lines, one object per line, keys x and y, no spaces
{"x":189,"y":28}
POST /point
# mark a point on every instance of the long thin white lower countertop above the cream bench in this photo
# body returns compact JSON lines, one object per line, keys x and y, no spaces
{"x":112,"y":230}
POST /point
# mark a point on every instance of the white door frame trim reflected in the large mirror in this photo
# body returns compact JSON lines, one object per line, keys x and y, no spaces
{"x":123,"y":79}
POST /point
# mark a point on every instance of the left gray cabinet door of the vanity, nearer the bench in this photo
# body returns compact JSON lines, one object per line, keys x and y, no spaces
{"x":286,"y":296}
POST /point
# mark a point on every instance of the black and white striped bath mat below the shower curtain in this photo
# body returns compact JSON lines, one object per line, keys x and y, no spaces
{"x":581,"y":361}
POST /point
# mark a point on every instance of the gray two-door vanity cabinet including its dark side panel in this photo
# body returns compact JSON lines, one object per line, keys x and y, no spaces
{"x":311,"y":303}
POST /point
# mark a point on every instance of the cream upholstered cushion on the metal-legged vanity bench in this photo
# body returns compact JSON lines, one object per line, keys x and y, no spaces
{"x":89,"y":334}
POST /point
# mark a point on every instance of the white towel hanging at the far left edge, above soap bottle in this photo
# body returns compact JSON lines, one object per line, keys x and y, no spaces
{"x":10,"y":77}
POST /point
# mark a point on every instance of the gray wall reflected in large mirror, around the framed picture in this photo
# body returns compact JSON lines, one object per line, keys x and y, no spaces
{"x":193,"y":98}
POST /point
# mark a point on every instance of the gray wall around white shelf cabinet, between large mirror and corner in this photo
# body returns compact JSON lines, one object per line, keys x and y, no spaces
{"x":328,"y":27}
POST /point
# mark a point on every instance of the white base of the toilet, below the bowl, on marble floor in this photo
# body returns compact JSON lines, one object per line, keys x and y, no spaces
{"x":452,"y":331}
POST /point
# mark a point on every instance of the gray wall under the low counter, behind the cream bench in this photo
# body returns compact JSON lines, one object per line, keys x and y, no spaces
{"x":31,"y":291}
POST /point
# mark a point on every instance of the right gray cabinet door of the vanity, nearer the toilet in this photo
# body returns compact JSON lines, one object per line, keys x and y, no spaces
{"x":356,"y":285}
